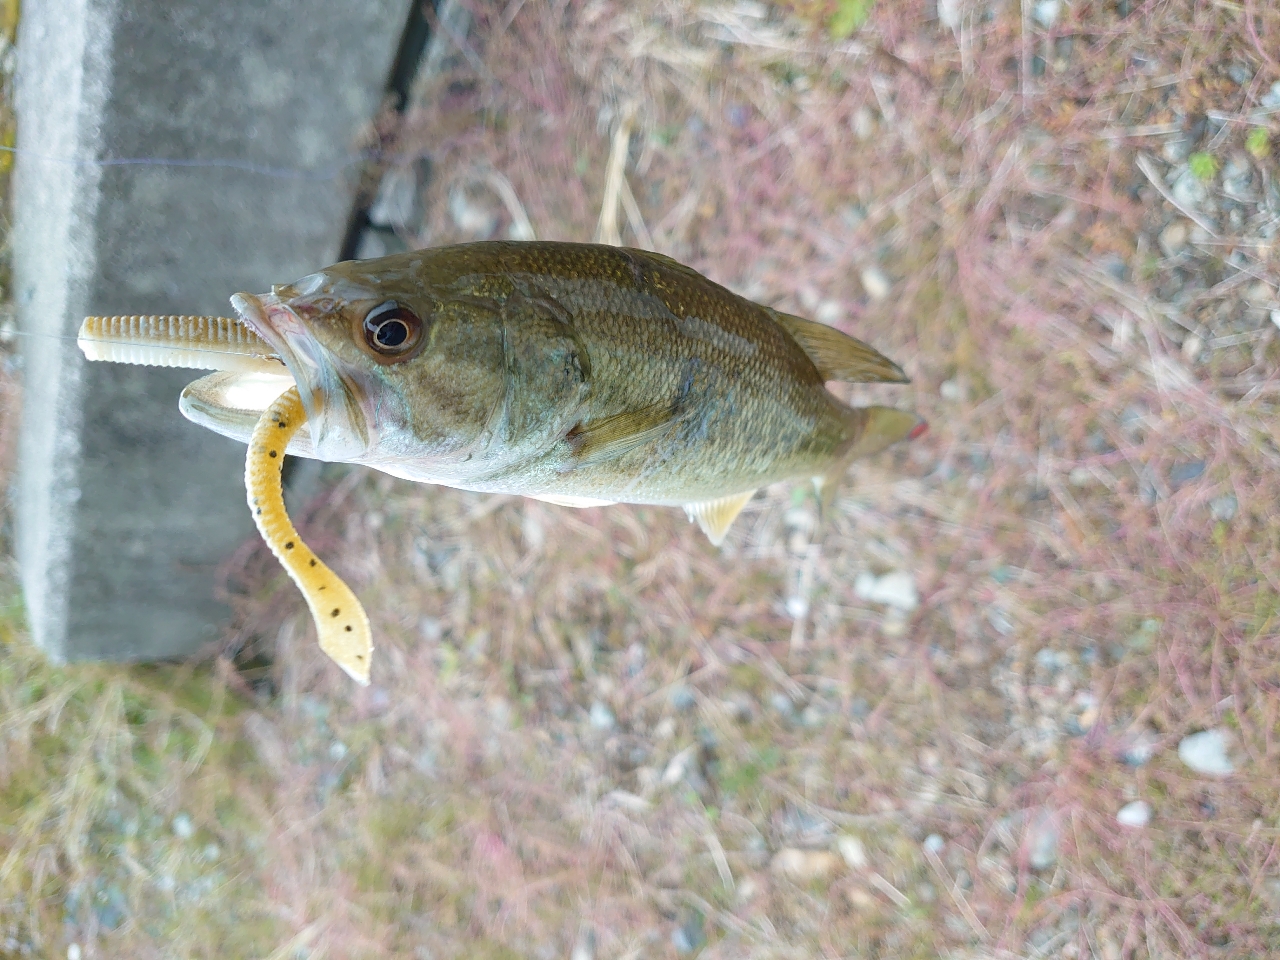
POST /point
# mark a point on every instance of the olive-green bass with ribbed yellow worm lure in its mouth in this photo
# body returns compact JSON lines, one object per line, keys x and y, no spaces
{"x":577,"y":374}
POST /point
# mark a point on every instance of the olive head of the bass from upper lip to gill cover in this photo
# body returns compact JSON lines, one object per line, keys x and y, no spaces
{"x":388,"y":364}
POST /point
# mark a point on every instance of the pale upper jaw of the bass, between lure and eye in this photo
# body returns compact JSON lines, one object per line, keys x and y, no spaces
{"x":336,"y":419}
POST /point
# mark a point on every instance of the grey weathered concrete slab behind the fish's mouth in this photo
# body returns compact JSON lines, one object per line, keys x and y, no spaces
{"x":125,"y":509}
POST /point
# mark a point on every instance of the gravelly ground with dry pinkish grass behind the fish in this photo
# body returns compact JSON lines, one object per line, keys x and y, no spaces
{"x":1020,"y":698}
